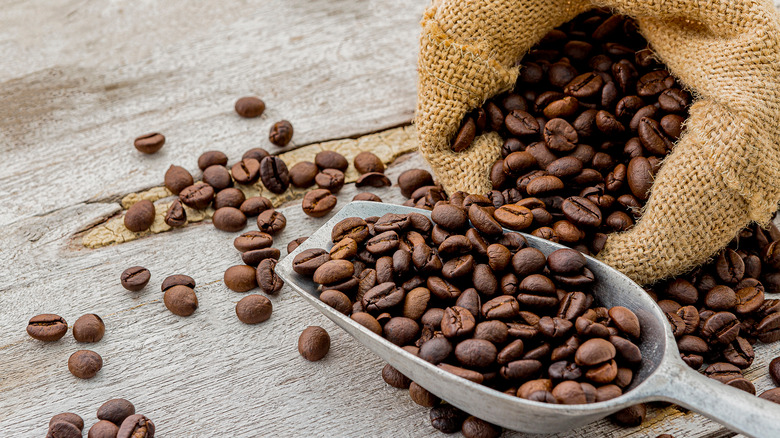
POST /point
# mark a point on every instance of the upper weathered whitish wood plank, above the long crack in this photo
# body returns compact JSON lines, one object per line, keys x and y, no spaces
{"x":72,"y":104}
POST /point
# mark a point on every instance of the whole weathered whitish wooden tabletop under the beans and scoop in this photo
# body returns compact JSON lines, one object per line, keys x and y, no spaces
{"x":80,"y":80}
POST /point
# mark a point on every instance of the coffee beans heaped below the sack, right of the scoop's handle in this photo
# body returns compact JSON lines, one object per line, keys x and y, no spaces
{"x":718,"y":311}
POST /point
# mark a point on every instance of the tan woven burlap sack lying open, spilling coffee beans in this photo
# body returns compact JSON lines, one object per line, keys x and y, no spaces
{"x":724,"y":171}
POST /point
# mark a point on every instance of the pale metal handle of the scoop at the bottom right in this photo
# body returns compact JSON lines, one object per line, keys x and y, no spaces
{"x":738,"y":410}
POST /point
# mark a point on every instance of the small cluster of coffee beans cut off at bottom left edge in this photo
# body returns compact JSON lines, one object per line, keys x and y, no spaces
{"x":116,"y":419}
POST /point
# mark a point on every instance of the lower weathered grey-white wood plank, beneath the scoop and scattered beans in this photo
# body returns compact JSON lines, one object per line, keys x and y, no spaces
{"x":210,"y":368}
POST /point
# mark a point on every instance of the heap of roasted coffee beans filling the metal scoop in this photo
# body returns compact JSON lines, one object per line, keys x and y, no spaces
{"x":479,"y":303}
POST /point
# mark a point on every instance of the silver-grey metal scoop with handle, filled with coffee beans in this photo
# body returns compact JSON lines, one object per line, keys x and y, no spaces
{"x":662,"y":376}
